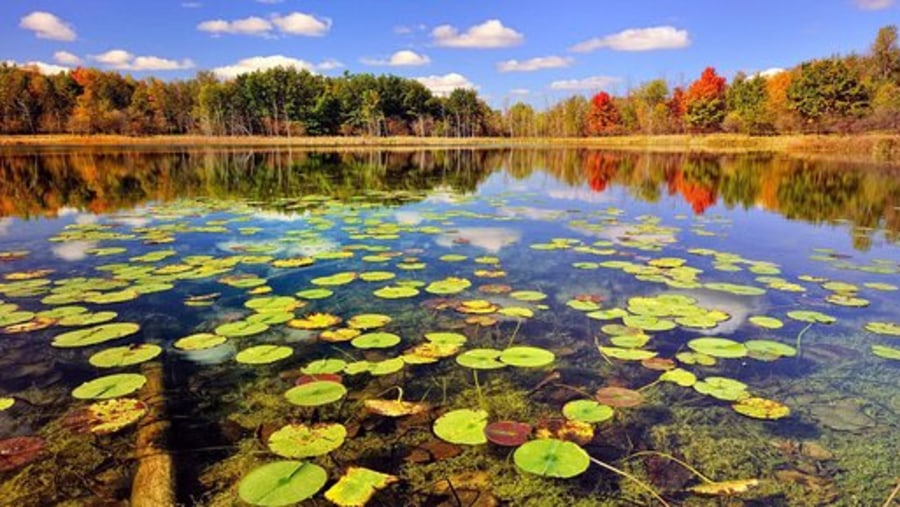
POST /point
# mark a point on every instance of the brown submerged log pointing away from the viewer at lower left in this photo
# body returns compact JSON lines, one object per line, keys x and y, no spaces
{"x":153,"y":484}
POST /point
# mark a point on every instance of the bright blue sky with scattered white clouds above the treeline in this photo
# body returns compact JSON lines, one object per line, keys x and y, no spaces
{"x":509,"y":50}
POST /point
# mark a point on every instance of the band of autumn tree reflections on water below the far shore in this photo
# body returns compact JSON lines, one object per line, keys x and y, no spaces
{"x":42,"y":183}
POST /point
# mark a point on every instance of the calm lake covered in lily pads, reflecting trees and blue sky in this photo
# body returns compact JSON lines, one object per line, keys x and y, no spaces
{"x":448,"y":327}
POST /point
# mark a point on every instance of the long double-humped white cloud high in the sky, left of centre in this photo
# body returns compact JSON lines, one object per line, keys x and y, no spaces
{"x":295,"y":23}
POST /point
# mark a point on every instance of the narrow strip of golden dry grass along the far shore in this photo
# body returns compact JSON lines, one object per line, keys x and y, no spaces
{"x":878,"y":148}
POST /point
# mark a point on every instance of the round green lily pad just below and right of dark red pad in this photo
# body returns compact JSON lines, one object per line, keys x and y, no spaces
{"x":549,"y":457}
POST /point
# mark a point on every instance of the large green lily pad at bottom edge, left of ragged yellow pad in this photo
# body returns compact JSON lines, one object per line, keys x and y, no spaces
{"x":282,"y":483}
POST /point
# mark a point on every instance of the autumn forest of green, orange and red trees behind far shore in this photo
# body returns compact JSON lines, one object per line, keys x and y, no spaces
{"x":836,"y":94}
